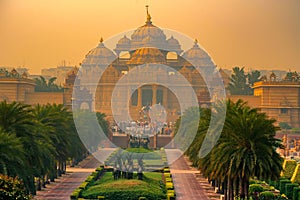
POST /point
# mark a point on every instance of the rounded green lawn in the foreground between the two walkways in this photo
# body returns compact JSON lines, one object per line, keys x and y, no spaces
{"x":150,"y":187}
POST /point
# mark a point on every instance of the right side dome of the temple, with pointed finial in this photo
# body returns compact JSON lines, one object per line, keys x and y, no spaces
{"x":198,"y":57}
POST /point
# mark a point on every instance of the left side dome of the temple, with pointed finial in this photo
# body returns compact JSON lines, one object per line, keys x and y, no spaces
{"x":99,"y":56}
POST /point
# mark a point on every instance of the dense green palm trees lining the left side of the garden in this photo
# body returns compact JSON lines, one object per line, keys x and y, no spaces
{"x":36,"y":142}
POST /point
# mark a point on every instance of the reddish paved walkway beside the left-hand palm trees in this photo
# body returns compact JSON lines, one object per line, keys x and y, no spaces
{"x":62,"y":188}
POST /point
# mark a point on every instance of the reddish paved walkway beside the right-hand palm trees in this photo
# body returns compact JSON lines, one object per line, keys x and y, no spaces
{"x":188,"y":182}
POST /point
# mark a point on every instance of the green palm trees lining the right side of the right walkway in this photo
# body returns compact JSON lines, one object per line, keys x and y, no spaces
{"x":246,"y":149}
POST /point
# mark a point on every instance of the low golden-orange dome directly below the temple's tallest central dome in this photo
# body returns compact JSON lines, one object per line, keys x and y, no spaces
{"x":147,"y":55}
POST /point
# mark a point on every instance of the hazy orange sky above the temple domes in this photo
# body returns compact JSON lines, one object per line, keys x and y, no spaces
{"x":261,"y":34}
